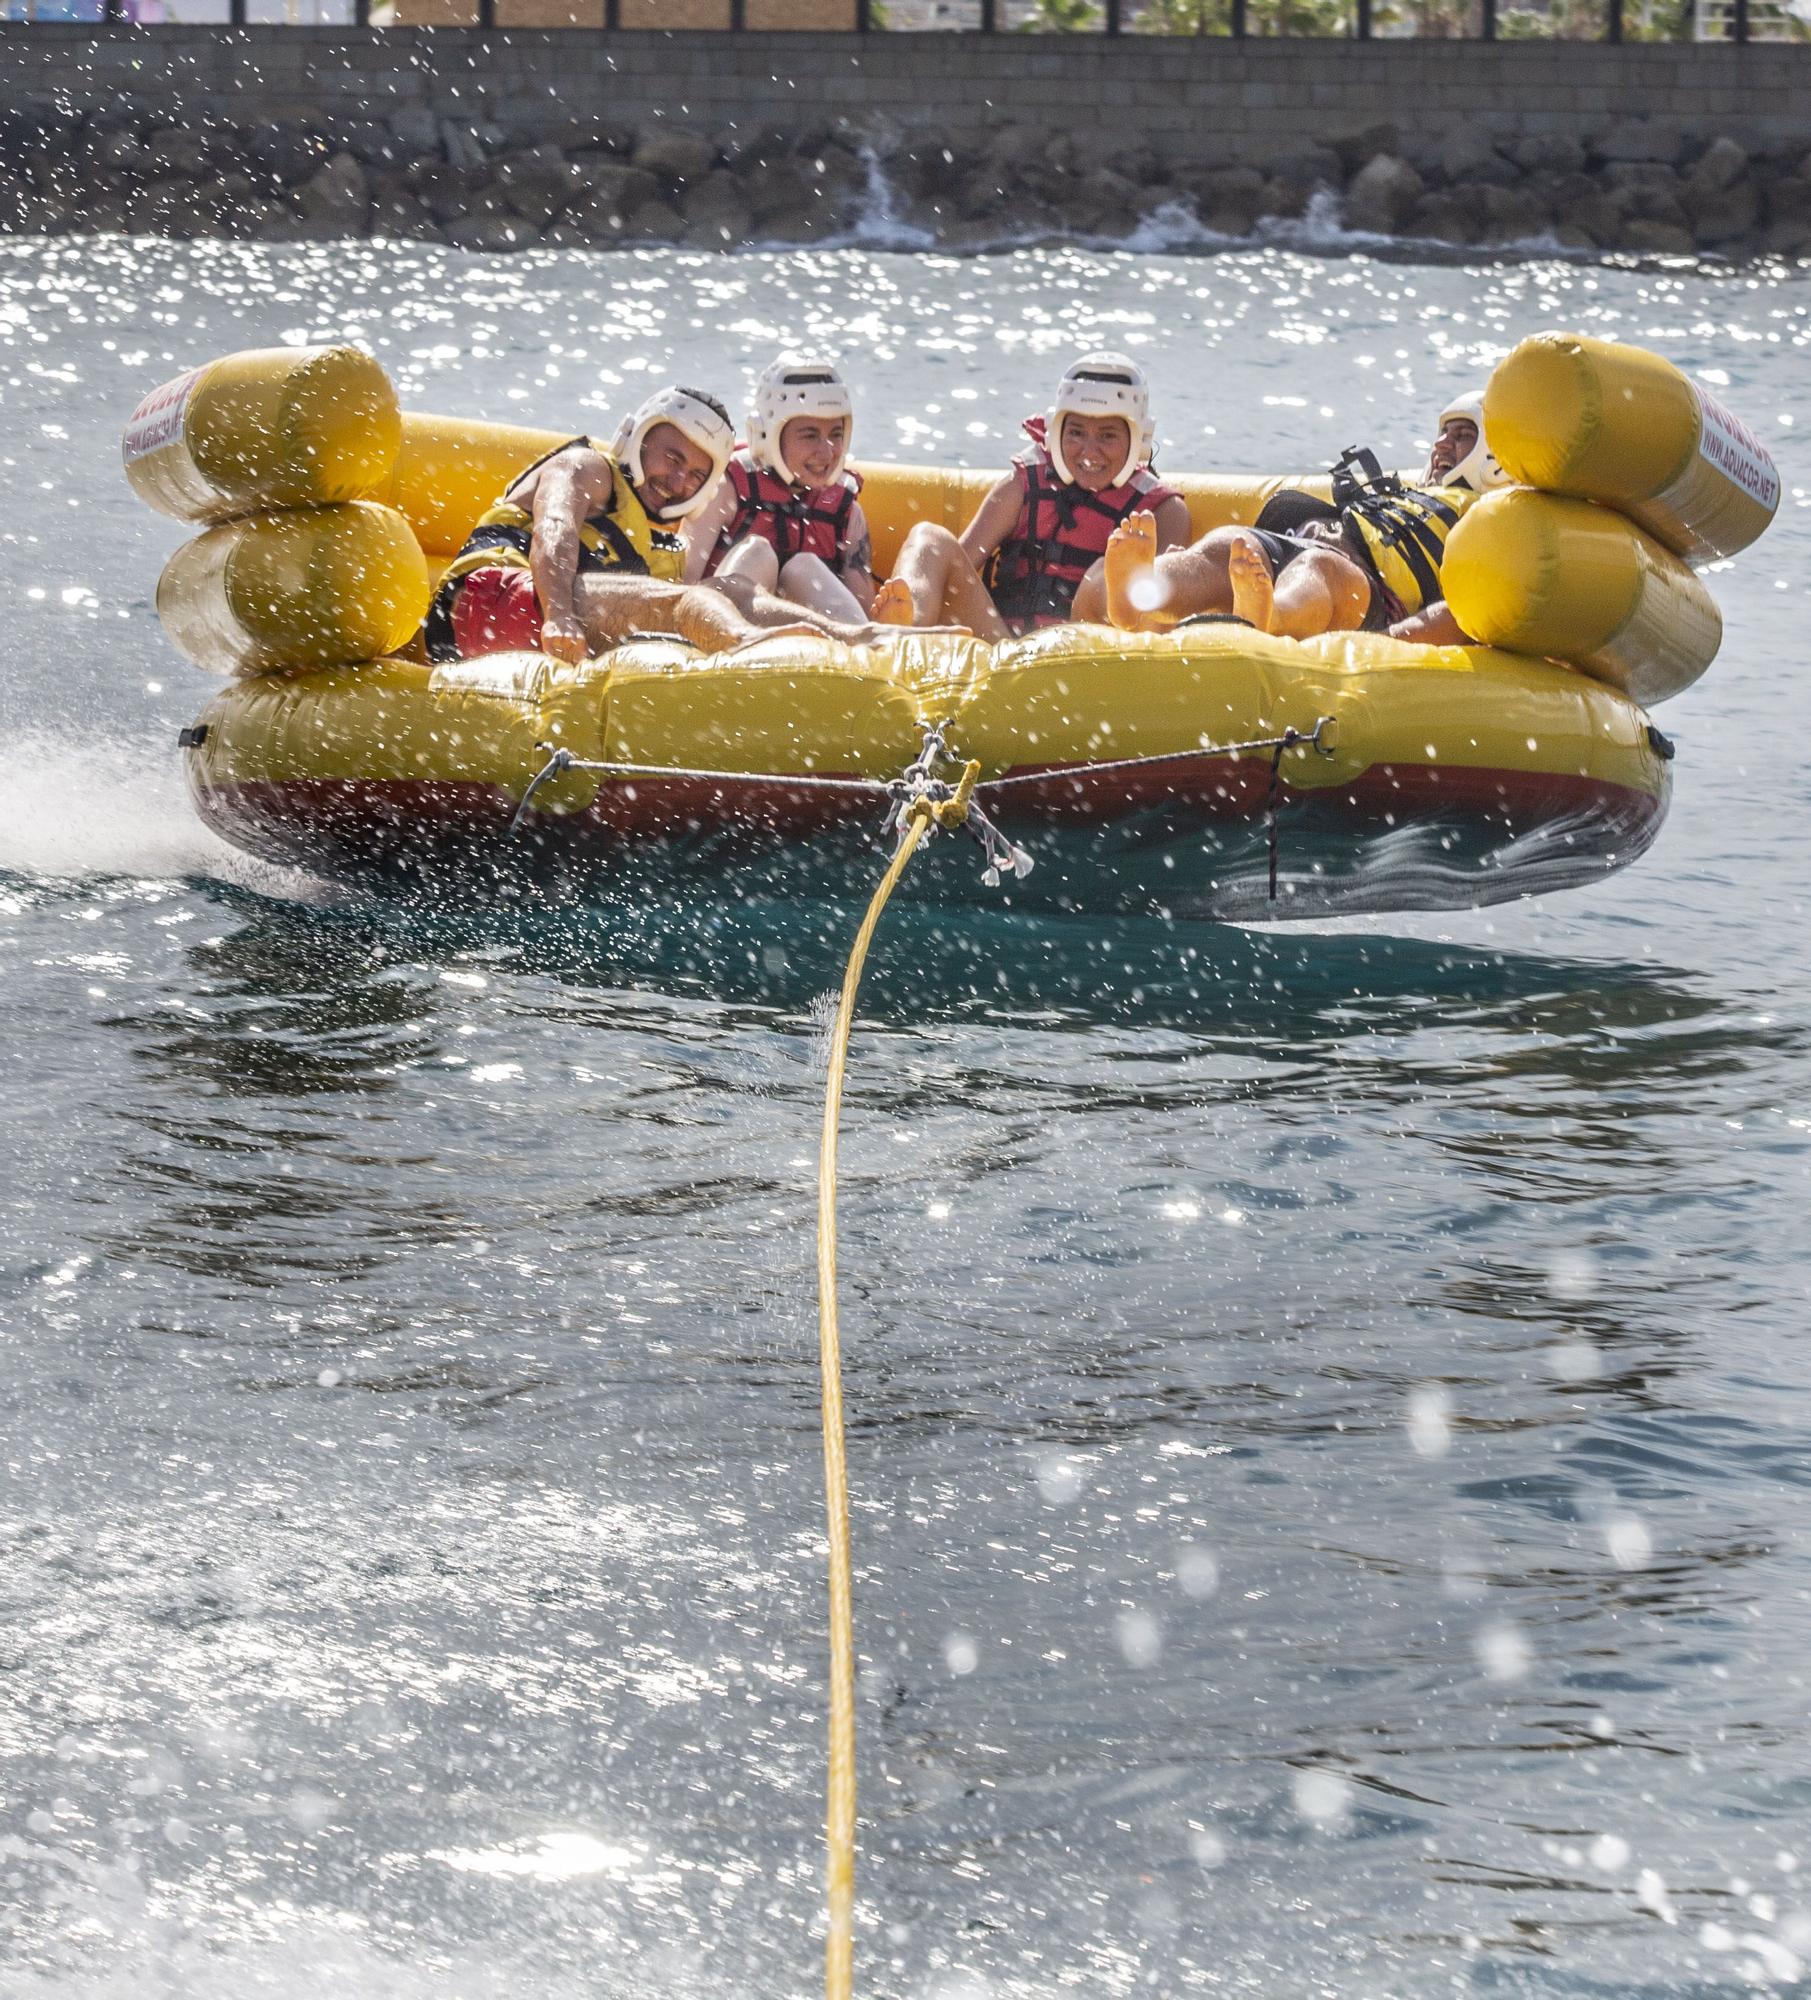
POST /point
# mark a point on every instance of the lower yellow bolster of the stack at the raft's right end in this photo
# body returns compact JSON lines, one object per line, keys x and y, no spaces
{"x":1564,"y":579}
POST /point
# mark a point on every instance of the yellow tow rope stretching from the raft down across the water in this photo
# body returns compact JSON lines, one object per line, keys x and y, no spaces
{"x":841,"y":1807}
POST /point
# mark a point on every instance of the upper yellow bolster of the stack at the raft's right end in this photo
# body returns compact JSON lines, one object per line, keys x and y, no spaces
{"x":1618,"y":425}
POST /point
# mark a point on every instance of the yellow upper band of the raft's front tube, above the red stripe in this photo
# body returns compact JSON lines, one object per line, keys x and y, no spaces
{"x":1064,"y":699}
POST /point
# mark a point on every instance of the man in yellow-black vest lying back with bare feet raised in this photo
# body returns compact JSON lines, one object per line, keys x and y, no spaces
{"x":1366,"y":561}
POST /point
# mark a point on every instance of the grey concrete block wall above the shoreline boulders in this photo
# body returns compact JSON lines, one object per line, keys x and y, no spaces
{"x":1186,"y":97}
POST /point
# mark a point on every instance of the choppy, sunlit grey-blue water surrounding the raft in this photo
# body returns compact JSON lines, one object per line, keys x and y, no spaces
{"x":1328,"y":1407}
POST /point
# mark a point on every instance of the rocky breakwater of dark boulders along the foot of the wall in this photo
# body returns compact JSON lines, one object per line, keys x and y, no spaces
{"x":529,"y":175}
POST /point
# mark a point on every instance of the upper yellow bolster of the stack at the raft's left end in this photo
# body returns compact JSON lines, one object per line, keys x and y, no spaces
{"x":269,"y":429}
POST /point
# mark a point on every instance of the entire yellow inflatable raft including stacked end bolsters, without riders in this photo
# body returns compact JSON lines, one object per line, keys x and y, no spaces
{"x":1208,"y":773}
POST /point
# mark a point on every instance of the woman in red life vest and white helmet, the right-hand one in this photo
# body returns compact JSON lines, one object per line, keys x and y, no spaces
{"x":1032,"y":555}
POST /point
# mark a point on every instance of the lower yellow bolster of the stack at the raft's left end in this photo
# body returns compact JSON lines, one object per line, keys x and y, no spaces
{"x":313,"y":587}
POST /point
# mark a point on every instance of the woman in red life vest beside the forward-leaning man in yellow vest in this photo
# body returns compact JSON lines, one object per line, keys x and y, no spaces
{"x":787,"y":517}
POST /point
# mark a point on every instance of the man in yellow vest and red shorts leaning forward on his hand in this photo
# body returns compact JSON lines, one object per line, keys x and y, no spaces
{"x":585,"y":551}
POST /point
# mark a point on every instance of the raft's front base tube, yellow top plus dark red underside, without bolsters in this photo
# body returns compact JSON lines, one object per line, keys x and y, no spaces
{"x":1448,"y":777}
